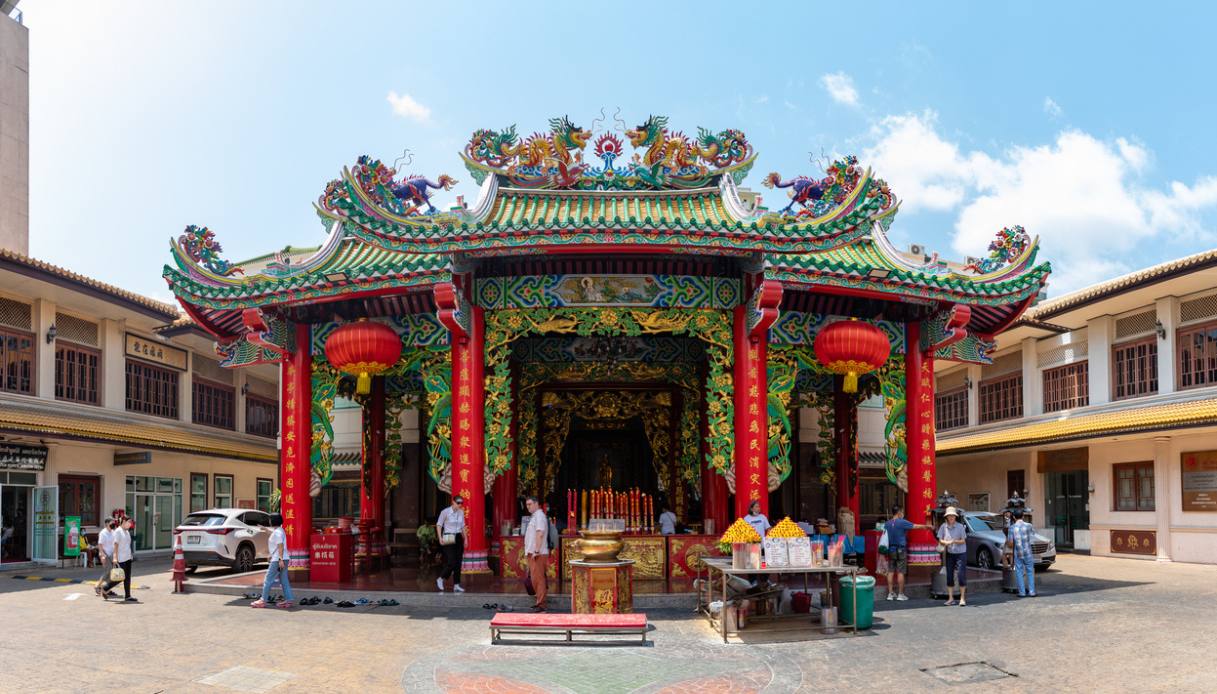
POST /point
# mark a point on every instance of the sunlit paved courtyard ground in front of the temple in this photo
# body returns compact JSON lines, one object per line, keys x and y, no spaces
{"x":1106,"y":625}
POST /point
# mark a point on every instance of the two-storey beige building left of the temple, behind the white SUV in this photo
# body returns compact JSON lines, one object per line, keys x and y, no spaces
{"x":109,"y":401}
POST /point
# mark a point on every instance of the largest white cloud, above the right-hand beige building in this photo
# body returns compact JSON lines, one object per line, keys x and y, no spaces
{"x":1084,"y":197}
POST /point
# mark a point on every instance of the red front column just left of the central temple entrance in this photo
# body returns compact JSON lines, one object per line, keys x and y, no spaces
{"x":469,"y":446}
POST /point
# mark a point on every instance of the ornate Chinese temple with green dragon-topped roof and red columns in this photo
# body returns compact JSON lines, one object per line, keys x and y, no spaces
{"x":616,"y":317}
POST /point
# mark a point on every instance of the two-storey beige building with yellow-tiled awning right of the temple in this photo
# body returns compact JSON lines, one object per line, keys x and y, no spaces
{"x":1102,"y":407}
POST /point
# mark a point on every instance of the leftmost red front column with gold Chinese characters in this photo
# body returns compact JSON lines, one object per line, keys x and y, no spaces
{"x":296,"y":407}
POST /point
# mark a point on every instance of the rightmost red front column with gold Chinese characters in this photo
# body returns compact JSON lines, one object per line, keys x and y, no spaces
{"x":919,"y":436}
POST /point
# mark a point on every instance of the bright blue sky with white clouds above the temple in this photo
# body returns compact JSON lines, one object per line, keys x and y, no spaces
{"x":1090,"y":124}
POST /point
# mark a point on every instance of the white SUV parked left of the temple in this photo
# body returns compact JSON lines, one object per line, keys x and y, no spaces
{"x":226,"y":538}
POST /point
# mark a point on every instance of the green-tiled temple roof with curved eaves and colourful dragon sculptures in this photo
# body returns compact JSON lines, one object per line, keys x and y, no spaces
{"x":678,"y":197}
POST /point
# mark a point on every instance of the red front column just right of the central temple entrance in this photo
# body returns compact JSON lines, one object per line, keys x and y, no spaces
{"x":751,"y":418}
